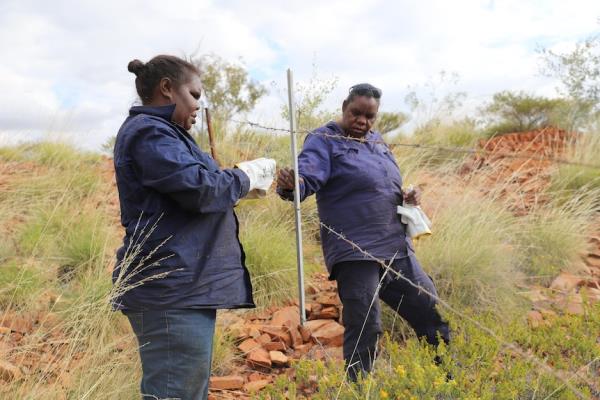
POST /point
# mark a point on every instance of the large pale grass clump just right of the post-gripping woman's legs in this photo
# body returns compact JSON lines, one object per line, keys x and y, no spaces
{"x":470,"y":255}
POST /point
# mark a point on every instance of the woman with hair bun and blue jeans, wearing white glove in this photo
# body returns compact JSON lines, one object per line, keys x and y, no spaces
{"x":181,"y":258}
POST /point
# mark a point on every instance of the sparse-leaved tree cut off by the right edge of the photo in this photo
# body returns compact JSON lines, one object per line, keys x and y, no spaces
{"x":579,"y":74}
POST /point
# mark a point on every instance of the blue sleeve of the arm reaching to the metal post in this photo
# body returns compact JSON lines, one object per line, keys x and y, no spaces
{"x":314,"y":167}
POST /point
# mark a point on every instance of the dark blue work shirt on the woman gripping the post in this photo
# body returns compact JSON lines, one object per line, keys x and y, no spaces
{"x":358,"y":187}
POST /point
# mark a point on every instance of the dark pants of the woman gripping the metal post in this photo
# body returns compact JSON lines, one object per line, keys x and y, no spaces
{"x":357,"y":286}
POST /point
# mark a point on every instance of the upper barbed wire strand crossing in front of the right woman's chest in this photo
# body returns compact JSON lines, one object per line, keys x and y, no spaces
{"x":449,"y":149}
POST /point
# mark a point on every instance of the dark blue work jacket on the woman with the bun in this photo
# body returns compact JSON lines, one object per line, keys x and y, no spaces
{"x":181,"y":247}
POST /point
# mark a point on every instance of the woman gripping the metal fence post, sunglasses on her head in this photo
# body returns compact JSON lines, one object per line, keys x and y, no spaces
{"x":358,"y":187}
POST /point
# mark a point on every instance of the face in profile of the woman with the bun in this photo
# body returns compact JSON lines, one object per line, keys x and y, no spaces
{"x":186,"y":98}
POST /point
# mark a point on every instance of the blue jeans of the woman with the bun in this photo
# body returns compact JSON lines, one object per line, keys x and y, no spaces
{"x":176,"y":352}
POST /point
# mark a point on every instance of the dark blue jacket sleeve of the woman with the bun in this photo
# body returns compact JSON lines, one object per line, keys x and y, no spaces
{"x":163,"y":162}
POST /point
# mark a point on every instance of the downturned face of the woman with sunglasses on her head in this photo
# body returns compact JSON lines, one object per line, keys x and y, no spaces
{"x":358,"y":116}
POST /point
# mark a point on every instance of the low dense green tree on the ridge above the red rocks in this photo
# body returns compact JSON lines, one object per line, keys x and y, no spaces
{"x":520,"y":112}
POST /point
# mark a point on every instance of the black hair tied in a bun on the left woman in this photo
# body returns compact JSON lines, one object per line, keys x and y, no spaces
{"x":148,"y":75}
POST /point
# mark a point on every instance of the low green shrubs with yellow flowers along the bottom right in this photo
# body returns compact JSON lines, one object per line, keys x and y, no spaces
{"x":482,"y":367}
